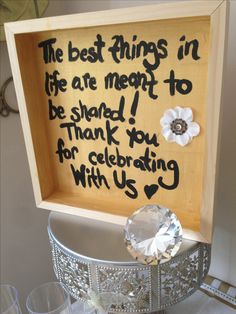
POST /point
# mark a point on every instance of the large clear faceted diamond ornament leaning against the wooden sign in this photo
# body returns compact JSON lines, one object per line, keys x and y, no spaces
{"x":153,"y":234}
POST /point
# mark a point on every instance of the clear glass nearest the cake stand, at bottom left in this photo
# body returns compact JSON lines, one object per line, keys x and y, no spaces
{"x":50,"y":298}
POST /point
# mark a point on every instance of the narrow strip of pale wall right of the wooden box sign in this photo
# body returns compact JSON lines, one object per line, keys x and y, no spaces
{"x":224,"y":245}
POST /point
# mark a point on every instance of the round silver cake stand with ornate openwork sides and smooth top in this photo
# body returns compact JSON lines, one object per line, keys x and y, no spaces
{"x":90,"y":254}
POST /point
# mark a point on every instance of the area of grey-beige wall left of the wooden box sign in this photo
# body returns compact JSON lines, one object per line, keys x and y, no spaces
{"x":25,"y":259}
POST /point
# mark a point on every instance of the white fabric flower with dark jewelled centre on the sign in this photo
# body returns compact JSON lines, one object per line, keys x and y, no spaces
{"x":178,"y":126}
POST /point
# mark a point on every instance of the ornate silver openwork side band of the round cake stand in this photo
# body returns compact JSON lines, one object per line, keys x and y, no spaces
{"x":151,"y":288}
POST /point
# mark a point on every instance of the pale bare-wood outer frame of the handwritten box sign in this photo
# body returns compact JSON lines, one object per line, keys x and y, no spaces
{"x":216,"y":10}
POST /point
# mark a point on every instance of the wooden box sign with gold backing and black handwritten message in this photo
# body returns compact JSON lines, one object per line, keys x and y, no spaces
{"x":92,"y":89}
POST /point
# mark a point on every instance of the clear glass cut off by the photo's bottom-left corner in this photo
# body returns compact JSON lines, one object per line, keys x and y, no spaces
{"x":9,"y":302}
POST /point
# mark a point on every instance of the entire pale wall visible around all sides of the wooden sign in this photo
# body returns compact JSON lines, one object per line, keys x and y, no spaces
{"x":25,"y":255}
